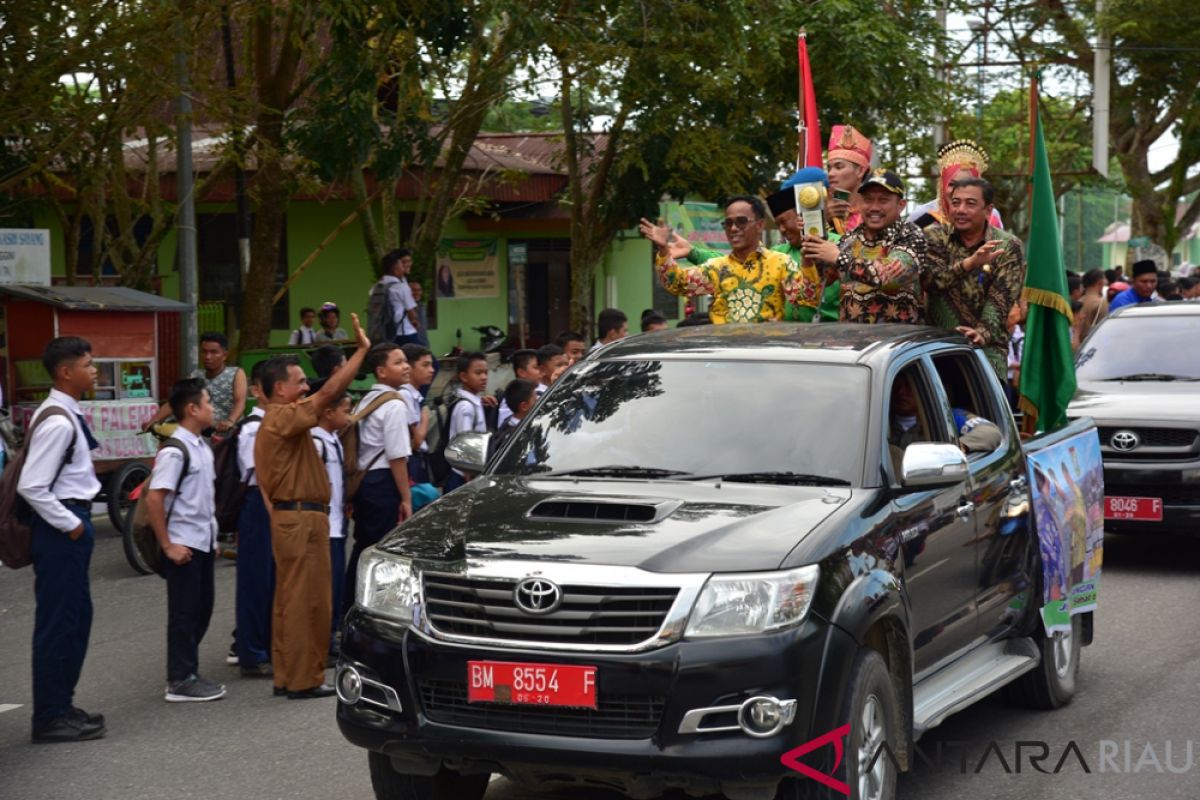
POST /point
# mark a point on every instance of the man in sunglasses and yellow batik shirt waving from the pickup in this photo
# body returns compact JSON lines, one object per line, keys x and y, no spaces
{"x":752,"y":285}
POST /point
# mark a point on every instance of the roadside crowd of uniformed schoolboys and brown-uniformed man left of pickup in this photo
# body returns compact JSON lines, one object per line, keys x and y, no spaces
{"x":303,"y":480}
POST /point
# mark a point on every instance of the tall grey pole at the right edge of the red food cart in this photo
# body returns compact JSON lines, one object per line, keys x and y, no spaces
{"x":185,"y":225}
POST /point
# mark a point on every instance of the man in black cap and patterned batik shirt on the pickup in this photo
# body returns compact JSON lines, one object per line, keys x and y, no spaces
{"x":881,"y":261}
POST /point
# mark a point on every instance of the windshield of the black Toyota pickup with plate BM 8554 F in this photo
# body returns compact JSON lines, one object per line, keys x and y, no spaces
{"x":674,"y":420}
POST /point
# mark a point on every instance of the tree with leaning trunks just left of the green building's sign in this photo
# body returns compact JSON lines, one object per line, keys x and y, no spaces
{"x":404,"y":94}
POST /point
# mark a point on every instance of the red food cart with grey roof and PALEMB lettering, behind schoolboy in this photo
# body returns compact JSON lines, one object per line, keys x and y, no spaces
{"x":136,"y":346}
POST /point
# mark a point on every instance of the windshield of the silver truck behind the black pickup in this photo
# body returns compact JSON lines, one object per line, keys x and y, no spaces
{"x":1142,"y":350}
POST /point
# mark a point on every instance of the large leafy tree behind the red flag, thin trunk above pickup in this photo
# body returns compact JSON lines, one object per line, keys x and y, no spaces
{"x":699,"y":99}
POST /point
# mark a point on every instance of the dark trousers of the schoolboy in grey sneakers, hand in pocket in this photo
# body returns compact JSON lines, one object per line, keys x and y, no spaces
{"x":189,"y":611}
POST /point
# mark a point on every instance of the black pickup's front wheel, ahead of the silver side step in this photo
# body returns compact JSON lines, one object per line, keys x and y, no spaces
{"x":871,"y":685}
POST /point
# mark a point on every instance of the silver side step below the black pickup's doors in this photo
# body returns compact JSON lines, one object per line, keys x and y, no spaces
{"x":959,"y":685}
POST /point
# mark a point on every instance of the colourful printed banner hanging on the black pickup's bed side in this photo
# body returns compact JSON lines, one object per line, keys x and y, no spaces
{"x":1067,"y":489}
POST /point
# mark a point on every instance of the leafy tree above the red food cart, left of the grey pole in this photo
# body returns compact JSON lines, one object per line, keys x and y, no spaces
{"x":80,"y":82}
